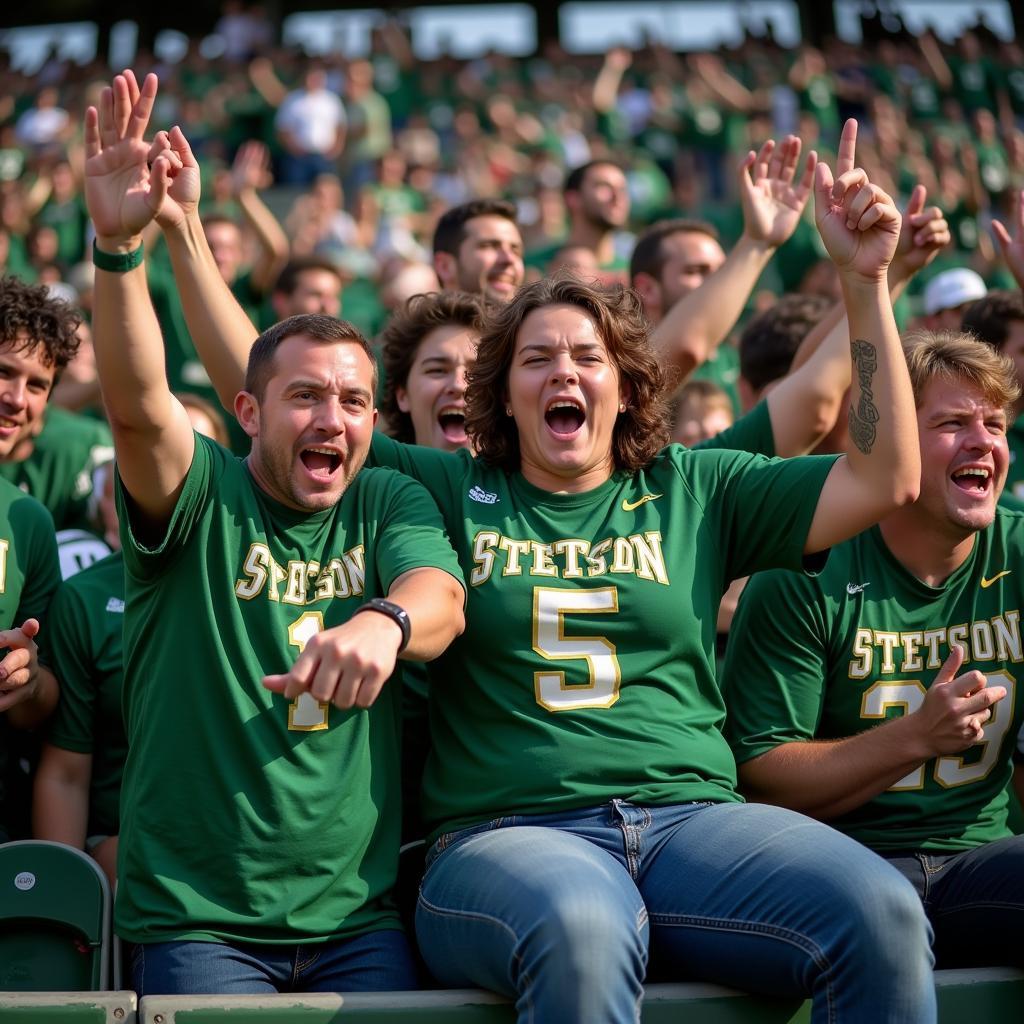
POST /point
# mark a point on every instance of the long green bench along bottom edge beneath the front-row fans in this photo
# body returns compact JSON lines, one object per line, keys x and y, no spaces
{"x":984,"y":997}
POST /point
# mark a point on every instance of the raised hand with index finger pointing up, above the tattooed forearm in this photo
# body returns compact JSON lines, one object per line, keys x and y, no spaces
{"x":859,"y":223}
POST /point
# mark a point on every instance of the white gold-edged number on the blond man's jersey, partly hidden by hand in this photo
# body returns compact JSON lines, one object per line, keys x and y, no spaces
{"x":951,"y":770}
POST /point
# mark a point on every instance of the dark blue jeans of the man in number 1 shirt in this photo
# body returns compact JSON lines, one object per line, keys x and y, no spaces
{"x":377,"y":962}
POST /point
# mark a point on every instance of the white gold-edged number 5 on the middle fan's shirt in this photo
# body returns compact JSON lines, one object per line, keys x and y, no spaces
{"x":550,"y":608}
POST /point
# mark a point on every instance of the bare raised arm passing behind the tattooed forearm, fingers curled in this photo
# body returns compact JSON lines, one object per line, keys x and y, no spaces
{"x":805,"y":405}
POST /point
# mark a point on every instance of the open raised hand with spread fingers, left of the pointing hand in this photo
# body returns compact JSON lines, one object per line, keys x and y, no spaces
{"x":773,"y":203}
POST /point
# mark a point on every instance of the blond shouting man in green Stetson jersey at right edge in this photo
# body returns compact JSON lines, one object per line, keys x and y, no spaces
{"x":881,"y":696}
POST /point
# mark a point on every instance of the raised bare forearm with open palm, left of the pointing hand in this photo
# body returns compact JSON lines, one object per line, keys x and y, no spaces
{"x":773,"y":206}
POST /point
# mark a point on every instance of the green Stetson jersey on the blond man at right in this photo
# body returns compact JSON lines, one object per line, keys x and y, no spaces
{"x":829,"y":658}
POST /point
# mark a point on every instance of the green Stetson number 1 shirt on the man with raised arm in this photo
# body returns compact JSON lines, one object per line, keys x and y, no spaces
{"x":245,"y":817}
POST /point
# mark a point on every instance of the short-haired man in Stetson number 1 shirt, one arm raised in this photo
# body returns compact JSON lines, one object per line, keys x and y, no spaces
{"x":260,"y":814}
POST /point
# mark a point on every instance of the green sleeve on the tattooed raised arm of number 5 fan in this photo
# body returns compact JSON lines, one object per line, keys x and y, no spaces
{"x":761,"y":508}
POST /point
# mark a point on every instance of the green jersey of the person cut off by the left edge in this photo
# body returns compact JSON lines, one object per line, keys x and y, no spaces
{"x":29,"y":576}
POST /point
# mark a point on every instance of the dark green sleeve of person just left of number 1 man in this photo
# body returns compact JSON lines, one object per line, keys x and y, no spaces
{"x":65,"y":644}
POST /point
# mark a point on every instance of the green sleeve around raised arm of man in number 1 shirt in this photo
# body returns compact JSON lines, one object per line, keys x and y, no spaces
{"x":146,"y":562}
